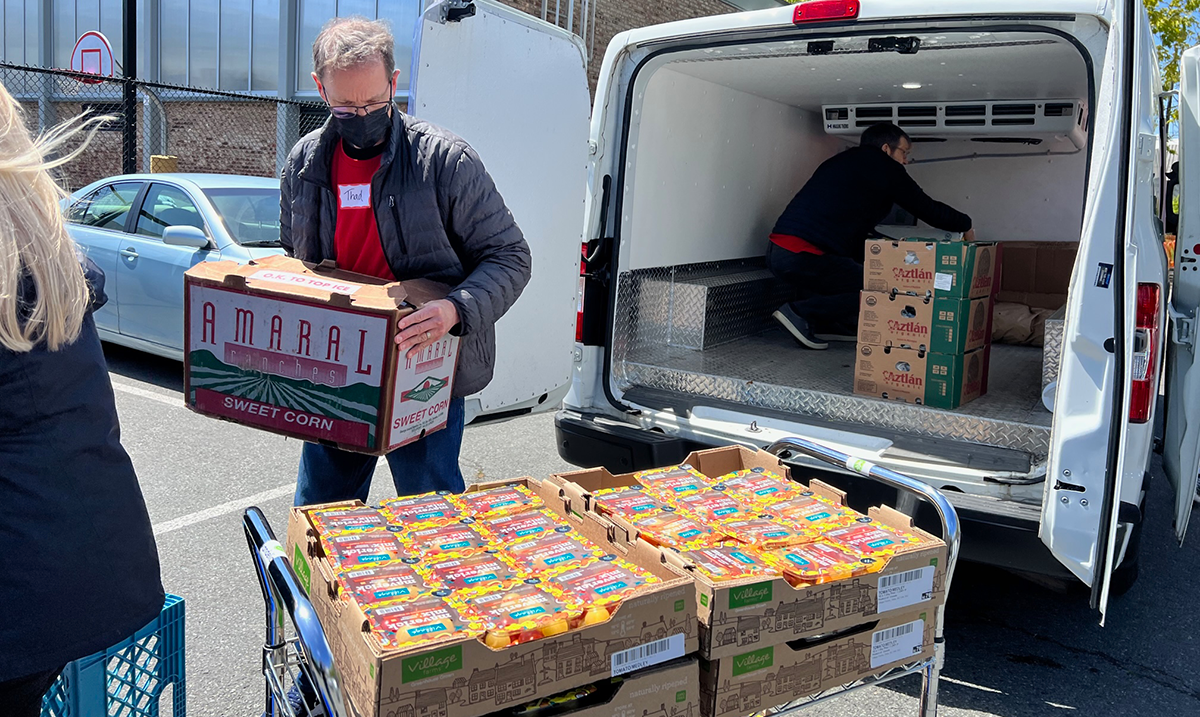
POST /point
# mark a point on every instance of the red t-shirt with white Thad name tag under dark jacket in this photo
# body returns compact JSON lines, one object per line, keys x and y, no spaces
{"x":357,"y":236}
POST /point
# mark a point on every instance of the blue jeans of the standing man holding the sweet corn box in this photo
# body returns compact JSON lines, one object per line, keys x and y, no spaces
{"x":422,"y":467}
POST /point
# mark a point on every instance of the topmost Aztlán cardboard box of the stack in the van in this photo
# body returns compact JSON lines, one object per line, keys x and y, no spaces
{"x":943,"y":269}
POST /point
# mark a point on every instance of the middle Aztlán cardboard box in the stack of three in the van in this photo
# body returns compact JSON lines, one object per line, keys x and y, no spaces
{"x":934,"y":324}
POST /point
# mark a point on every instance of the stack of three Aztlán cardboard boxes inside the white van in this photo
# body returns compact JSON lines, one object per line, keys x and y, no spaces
{"x":925,"y":326}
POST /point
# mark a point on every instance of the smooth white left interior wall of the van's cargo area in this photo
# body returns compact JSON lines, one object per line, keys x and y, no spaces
{"x":706,"y":132}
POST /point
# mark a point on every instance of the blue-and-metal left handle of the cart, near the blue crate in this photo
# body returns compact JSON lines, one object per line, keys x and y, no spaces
{"x":280,"y":585}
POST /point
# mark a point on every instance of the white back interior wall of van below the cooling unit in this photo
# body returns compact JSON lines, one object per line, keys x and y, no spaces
{"x":1036,"y":198}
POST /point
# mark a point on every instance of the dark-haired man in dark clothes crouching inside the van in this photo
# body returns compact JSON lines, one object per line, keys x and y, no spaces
{"x":818,"y":244}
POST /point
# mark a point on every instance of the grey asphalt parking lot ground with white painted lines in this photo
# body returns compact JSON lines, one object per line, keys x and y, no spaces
{"x":1015,"y":649}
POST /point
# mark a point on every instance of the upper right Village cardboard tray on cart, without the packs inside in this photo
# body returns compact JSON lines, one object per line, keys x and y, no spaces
{"x":740,"y":616}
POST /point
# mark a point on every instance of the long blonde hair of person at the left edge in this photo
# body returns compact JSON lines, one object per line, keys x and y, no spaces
{"x":34,"y":239}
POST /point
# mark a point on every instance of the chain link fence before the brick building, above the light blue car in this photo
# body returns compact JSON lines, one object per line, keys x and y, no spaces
{"x":203,"y":131}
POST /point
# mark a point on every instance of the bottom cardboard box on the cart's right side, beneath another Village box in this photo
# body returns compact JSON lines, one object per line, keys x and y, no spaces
{"x":772,"y":676}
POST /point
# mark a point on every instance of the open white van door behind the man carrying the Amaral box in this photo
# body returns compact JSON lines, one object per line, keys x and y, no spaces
{"x":517,"y":89}
